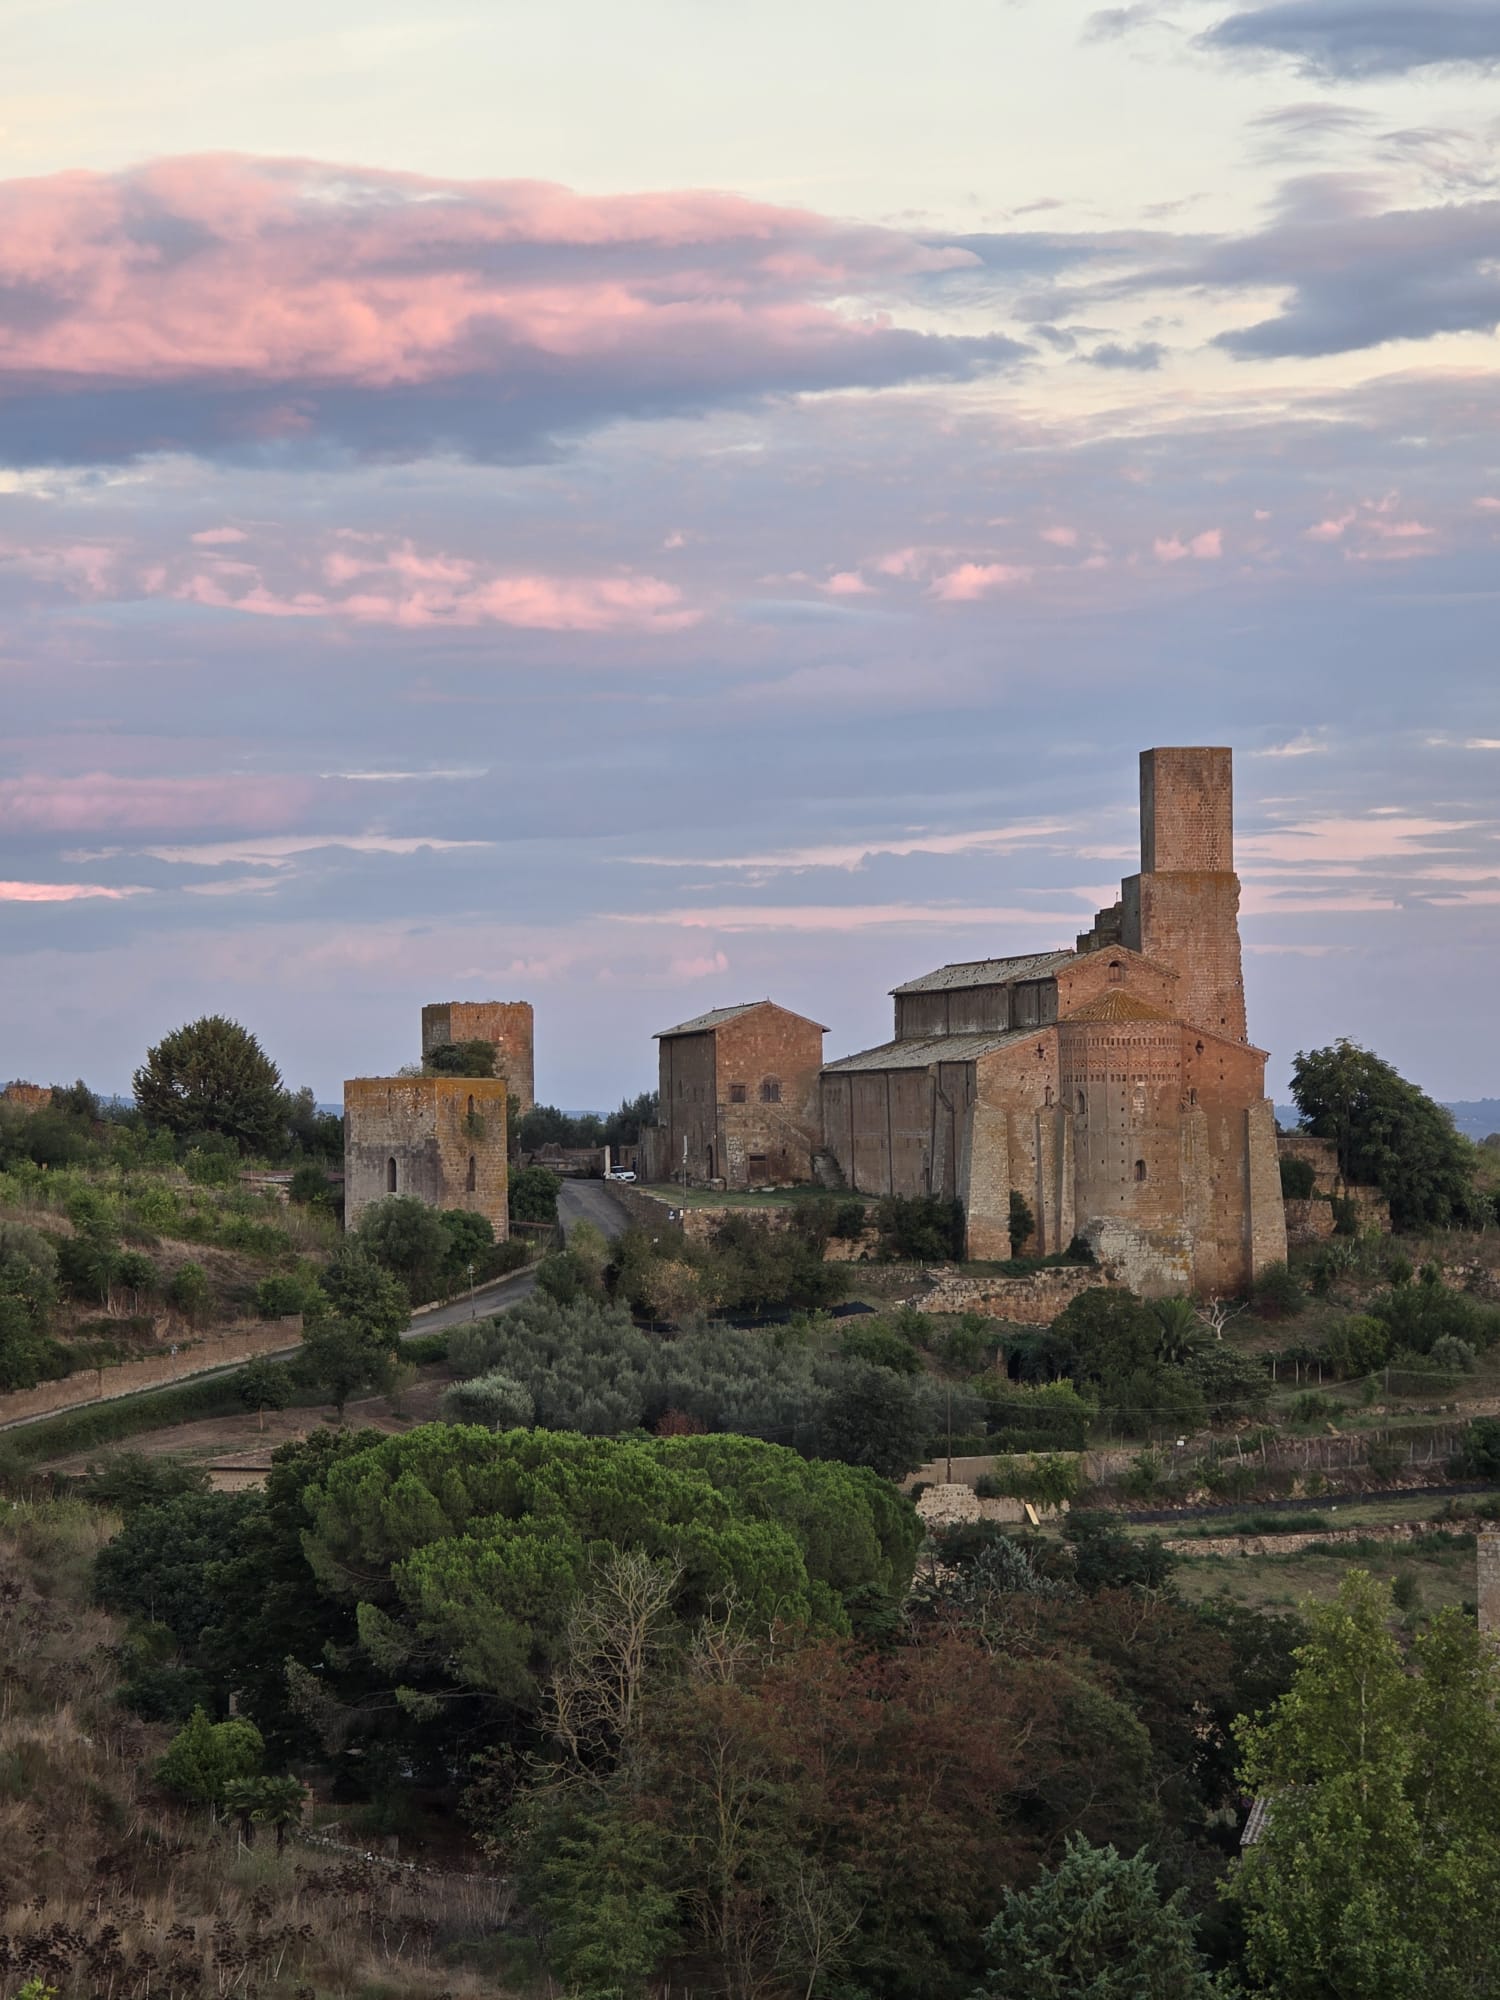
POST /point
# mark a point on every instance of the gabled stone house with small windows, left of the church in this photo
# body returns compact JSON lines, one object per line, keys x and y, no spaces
{"x":739,"y":1099}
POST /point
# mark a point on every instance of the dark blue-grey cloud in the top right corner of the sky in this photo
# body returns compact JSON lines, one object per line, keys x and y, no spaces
{"x":1357,"y":39}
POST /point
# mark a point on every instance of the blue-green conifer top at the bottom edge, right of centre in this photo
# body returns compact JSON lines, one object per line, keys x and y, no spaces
{"x":1095,"y":1929}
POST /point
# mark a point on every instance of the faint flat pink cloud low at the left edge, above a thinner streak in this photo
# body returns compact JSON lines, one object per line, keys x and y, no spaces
{"x":103,"y":803}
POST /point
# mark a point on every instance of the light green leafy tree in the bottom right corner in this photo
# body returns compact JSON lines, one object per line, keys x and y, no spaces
{"x":1379,"y":1865}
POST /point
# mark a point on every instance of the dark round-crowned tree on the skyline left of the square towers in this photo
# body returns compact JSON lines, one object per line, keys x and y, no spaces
{"x":213,"y":1077}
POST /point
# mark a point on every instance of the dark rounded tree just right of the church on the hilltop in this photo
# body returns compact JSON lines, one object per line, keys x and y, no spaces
{"x":1389,"y":1135}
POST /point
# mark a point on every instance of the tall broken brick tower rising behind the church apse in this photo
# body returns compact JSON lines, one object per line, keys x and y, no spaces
{"x":1183,"y":909}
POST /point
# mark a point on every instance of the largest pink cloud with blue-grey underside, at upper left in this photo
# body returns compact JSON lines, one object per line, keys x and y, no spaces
{"x":275,"y":307}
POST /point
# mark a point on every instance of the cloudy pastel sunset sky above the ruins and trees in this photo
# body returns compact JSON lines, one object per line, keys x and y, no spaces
{"x":643,"y":509}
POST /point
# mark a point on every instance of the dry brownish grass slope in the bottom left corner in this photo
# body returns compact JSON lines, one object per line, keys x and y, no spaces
{"x":107,"y":1889}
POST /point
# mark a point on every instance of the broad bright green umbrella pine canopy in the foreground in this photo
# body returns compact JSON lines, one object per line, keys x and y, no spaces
{"x":465,"y":1547}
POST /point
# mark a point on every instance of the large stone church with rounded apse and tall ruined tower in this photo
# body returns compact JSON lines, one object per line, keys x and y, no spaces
{"x":1111,"y":1085}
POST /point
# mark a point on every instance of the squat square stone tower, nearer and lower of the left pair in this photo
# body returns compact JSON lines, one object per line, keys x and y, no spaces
{"x":441,"y":1139}
